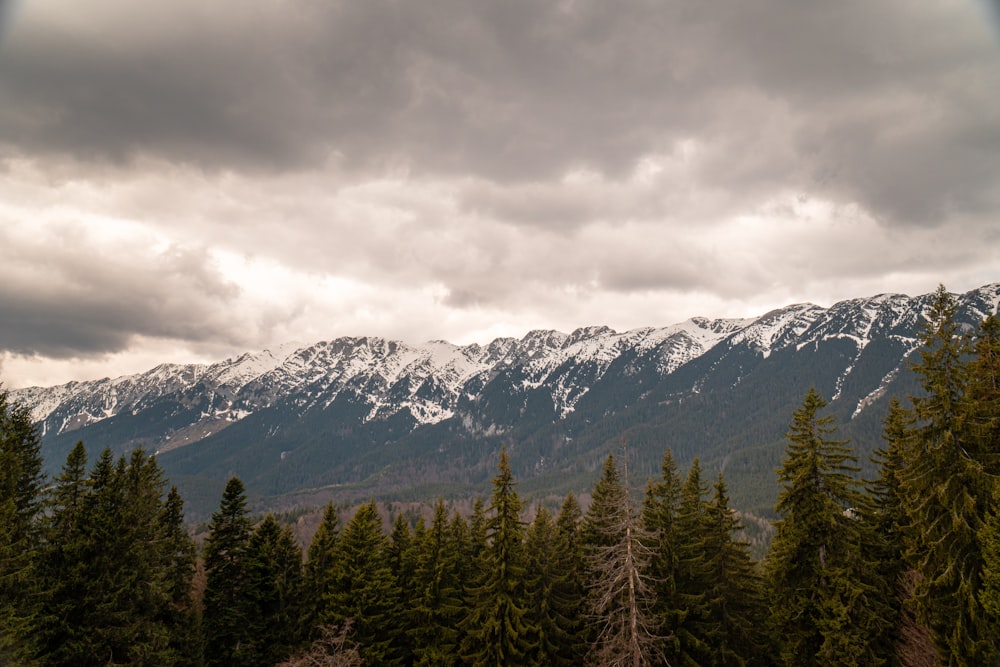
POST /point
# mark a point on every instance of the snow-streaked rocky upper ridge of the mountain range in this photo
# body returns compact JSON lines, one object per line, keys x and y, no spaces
{"x":430,"y":381}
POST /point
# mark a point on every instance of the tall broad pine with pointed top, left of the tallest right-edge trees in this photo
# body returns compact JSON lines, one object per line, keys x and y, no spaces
{"x":819,"y":603}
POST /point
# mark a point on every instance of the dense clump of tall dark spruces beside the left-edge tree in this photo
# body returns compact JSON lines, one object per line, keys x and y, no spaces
{"x":110,"y":569}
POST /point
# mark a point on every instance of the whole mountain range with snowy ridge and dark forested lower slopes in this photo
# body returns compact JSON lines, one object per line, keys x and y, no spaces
{"x":379,"y":416}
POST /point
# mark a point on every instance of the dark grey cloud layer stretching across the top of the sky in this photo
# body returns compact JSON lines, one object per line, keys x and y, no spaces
{"x":888,"y":104}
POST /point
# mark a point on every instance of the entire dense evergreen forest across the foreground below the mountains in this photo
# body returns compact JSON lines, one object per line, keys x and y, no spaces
{"x":97,"y":567}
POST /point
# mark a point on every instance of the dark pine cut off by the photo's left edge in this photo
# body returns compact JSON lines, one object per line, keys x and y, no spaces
{"x":21,"y":481}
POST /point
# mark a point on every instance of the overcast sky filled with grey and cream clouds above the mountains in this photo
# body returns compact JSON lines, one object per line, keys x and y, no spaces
{"x":186,"y":180}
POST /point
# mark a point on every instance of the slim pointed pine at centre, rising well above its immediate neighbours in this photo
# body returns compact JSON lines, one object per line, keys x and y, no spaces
{"x":497,"y":632}
